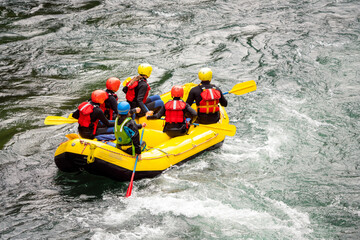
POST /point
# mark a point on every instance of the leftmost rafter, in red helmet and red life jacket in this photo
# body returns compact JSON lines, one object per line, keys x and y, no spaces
{"x":89,"y":114}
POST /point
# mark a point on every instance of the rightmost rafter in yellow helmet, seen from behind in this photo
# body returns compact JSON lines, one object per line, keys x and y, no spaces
{"x":207,"y":97}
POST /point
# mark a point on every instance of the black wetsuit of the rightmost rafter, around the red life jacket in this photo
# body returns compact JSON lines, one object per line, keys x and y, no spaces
{"x":194,"y":95}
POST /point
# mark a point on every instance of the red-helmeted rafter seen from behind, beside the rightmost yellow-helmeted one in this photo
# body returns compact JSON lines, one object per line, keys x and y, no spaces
{"x":175,"y":112}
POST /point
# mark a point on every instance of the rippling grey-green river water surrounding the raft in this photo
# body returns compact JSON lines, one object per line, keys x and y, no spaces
{"x":290,"y":172}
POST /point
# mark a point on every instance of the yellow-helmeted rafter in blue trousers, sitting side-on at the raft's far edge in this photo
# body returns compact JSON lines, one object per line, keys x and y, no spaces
{"x":137,"y":91}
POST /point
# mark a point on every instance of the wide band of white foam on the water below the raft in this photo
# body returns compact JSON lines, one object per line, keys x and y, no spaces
{"x":213,"y":212}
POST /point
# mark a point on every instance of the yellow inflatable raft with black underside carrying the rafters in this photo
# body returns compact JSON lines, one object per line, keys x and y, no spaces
{"x":161,"y":152}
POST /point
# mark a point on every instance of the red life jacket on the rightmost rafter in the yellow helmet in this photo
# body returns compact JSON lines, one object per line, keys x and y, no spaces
{"x":210,"y":100}
